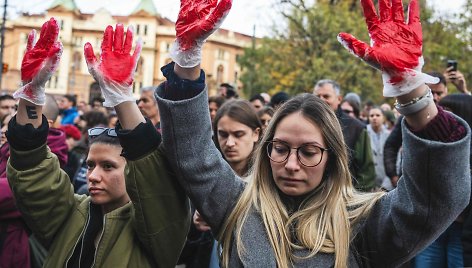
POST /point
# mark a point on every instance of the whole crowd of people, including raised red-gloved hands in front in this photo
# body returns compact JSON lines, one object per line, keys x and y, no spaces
{"x":178,"y":178}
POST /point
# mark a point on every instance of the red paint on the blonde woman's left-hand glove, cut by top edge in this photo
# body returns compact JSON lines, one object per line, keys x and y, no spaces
{"x":197,"y":20}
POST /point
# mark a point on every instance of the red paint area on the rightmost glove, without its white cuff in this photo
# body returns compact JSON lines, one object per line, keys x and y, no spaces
{"x":396,"y":45}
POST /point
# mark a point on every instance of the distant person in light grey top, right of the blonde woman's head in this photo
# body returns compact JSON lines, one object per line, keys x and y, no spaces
{"x":378,"y":133}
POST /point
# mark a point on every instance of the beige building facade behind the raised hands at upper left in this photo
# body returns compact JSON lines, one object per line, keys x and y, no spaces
{"x":219,"y":53}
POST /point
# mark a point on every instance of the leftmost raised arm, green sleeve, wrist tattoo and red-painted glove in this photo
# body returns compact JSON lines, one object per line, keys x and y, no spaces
{"x":42,"y":190}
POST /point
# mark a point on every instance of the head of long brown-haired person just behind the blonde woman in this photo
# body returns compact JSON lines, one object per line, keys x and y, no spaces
{"x":236,"y":132}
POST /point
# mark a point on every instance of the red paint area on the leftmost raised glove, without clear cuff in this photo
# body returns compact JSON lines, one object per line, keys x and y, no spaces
{"x":46,"y":47}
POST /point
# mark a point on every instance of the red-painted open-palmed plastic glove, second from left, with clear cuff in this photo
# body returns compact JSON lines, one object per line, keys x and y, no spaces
{"x":115,"y":70}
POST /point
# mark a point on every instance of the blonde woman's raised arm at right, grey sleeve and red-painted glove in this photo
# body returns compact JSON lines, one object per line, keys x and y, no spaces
{"x":435,"y":186}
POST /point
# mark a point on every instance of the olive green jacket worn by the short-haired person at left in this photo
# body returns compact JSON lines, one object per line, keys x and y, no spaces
{"x":58,"y":217}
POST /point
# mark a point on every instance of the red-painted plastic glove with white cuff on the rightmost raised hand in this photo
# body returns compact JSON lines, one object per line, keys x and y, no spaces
{"x":395,"y":46}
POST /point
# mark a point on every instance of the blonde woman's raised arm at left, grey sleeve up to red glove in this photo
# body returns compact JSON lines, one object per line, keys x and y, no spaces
{"x":186,"y":129}
